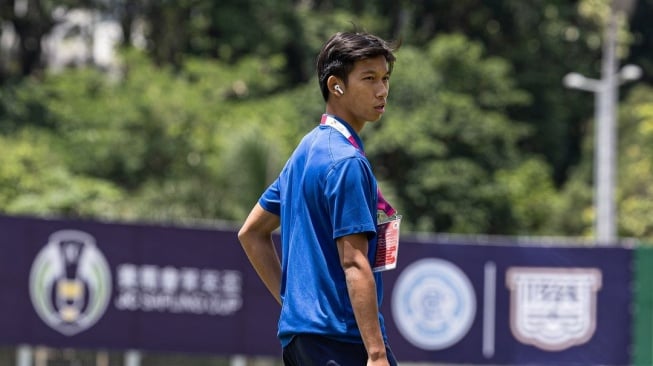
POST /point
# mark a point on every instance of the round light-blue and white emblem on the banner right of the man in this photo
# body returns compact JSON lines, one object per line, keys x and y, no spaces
{"x":433,"y":304}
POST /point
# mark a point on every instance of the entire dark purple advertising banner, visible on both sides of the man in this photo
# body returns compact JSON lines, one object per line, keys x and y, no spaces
{"x":82,"y":284}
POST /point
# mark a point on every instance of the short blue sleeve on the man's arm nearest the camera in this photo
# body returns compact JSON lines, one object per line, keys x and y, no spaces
{"x":351,"y":195}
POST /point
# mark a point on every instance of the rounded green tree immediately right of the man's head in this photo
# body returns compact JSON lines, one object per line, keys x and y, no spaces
{"x":446,"y":136}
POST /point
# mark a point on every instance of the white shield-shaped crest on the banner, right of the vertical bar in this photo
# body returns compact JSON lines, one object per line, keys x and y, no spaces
{"x":553,"y":308}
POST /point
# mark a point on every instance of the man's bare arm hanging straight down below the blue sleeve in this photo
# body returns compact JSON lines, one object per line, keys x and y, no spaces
{"x":362,"y":292}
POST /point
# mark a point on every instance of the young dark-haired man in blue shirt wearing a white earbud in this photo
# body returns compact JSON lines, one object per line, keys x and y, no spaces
{"x":326,"y":201}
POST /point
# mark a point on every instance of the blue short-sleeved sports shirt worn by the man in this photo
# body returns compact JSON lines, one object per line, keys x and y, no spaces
{"x":325,"y":191}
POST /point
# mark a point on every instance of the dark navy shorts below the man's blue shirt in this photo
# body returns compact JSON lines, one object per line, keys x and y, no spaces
{"x":315,"y":350}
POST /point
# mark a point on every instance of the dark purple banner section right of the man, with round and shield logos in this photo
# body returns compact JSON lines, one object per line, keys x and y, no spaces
{"x":510,"y":304}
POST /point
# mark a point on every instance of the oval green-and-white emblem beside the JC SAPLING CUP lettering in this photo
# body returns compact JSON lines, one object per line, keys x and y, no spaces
{"x":70,"y":282}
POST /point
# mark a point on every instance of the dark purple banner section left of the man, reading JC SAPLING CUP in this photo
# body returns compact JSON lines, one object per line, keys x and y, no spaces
{"x":95,"y":285}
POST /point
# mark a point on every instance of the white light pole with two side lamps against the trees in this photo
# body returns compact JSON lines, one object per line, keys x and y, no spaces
{"x":605,"y":115}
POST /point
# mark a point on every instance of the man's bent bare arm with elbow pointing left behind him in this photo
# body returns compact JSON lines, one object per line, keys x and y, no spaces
{"x":256,"y":239}
